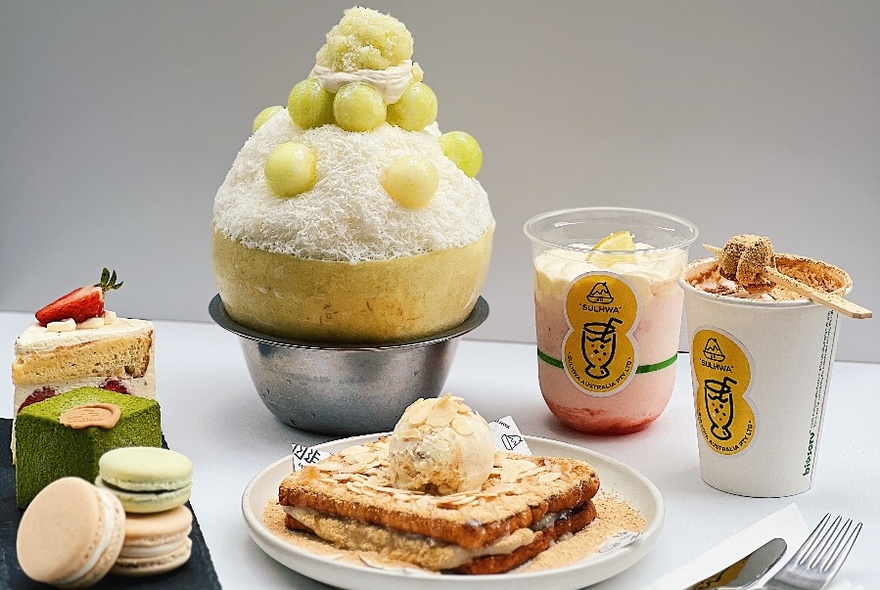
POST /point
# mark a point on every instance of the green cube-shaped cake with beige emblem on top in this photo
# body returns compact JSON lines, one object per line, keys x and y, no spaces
{"x":66,"y":435}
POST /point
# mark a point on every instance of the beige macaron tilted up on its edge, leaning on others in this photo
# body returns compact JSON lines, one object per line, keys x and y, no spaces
{"x":71,"y":534}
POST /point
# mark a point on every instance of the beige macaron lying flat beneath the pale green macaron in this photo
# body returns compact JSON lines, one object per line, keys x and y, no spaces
{"x":155,"y":543}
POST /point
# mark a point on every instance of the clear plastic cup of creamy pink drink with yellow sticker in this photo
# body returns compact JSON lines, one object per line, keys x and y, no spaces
{"x":608,"y":322}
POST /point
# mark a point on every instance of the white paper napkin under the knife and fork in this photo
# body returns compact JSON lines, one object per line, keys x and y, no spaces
{"x":787,"y":524}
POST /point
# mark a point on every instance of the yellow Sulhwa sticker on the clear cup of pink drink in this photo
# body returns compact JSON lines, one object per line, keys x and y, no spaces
{"x":599,"y":352}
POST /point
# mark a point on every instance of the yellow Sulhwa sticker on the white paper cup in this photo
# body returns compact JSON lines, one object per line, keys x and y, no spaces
{"x":723,"y":372}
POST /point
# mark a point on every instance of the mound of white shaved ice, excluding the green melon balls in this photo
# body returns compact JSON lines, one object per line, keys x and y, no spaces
{"x":348,"y":215}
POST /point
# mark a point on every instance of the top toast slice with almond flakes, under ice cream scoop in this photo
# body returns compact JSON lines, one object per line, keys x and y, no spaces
{"x":521,"y":491}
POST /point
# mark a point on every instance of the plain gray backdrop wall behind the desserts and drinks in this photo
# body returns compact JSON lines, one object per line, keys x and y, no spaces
{"x":119,"y":120}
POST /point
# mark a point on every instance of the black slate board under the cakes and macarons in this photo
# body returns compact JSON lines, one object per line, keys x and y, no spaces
{"x":198,"y":572}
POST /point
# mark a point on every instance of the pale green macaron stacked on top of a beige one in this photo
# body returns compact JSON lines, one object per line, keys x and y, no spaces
{"x":146,"y":479}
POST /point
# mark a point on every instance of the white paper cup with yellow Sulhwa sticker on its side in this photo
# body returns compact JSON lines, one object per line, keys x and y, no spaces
{"x":760,"y":374}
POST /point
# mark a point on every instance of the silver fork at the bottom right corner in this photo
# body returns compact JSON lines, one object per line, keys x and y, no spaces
{"x":819,"y":558}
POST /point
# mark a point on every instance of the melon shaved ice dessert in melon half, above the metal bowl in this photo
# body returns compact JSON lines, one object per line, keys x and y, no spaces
{"x":348,"y":216}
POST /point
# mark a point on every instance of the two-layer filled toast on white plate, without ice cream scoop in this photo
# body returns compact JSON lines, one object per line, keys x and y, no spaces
{"x":526,"y":503}
